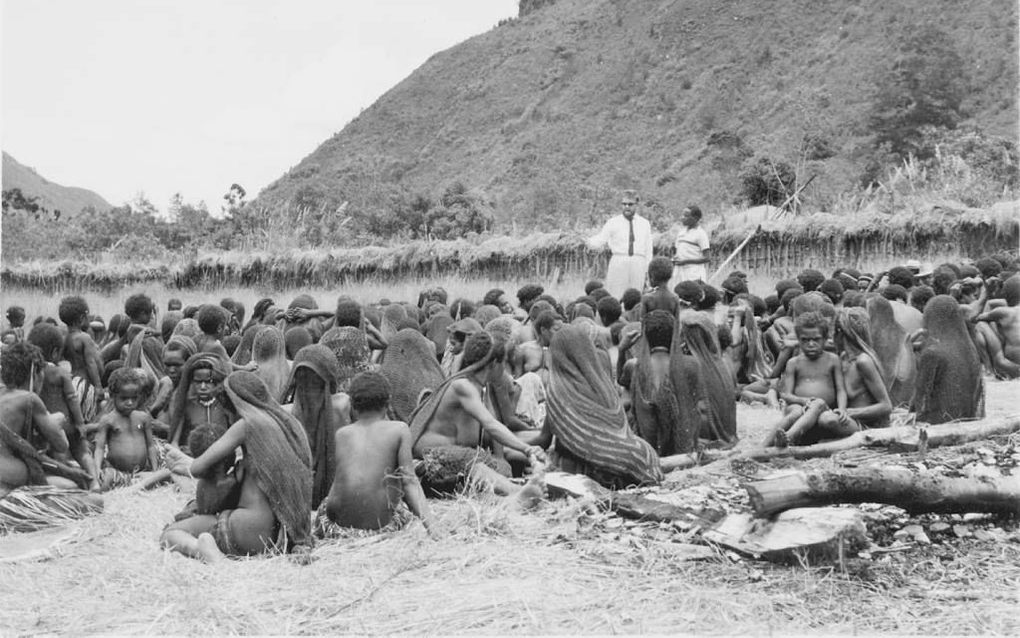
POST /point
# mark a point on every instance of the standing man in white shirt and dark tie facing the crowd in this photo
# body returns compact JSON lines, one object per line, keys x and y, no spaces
{"x":630,"y":238}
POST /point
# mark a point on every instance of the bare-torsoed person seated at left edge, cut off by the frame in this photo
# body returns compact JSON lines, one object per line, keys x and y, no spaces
{"x":24,"y":413}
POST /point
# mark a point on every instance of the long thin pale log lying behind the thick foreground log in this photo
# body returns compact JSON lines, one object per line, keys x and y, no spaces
{"x":900,"y":438}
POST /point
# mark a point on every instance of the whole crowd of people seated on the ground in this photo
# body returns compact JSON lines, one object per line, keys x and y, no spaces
{"x":298,"y":425}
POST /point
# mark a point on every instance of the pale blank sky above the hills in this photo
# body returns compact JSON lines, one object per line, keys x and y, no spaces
{"x":167,"y":96}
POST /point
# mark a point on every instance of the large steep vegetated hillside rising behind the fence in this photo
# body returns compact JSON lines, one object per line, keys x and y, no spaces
{"x":545,"y":117}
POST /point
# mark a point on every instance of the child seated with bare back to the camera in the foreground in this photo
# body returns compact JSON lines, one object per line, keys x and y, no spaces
{"x":375,"y":468}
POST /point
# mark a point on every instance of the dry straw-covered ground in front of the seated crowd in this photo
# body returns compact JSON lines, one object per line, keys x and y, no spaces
{"x":497,"y":571}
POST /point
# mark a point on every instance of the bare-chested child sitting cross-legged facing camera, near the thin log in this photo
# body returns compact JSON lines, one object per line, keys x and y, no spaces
{"x":813,"y":389}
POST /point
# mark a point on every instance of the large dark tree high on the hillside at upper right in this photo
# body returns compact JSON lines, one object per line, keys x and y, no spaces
{"x":925,"y":86}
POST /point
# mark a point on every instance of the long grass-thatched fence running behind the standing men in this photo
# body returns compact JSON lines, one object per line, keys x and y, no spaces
{"x":783,"y":248}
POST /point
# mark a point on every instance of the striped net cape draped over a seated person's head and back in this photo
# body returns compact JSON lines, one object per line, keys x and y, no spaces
{"x":588,"y":419}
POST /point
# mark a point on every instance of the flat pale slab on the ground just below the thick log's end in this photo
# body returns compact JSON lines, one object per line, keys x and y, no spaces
{"x":810,"y":535}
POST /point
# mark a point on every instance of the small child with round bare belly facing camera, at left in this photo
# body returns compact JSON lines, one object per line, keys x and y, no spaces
{"x":124,"y":437}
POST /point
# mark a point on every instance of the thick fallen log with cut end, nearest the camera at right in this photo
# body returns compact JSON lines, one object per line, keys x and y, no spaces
{"x":915,"y":493}
